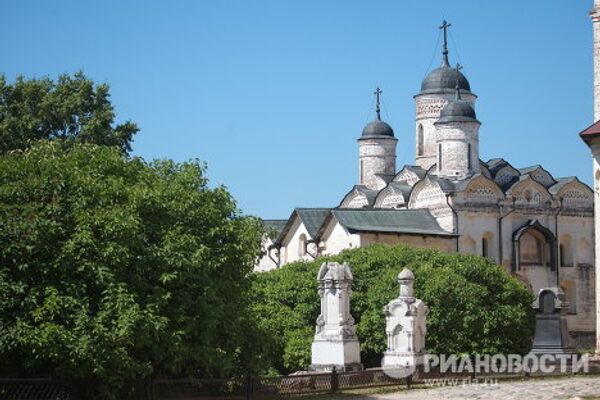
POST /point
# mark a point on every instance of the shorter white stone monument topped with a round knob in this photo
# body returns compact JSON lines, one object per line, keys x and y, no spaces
{"x":405,"y":326}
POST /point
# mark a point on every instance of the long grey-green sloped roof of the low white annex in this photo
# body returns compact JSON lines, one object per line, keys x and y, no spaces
{"x":419,"y":222}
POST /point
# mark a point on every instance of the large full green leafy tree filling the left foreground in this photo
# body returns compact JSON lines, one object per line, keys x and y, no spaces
{"x":113,"y":269}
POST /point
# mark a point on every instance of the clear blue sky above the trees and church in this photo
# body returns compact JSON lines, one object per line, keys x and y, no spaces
{"x":273,"y":94}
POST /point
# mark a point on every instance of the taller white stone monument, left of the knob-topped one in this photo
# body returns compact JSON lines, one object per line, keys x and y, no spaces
{"x":335,"y":344}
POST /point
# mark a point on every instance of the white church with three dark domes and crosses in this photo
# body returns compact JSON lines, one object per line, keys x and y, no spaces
{"x":539,"y":227}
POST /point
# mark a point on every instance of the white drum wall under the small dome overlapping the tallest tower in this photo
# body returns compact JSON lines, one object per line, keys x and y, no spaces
{"x":455,"y":139}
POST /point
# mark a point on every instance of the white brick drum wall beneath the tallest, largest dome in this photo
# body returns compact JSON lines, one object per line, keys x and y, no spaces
{"x":428,"y":108}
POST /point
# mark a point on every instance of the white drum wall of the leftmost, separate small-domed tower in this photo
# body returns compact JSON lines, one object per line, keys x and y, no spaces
{"x":377,"y":161}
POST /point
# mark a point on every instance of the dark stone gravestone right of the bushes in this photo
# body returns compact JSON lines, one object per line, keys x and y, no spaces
{"x":551,"y":332}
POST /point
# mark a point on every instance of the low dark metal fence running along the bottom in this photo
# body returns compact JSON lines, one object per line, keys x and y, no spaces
{"x":242,"y":388}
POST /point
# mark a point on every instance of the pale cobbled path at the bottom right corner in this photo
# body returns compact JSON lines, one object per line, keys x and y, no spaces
{"x":534,"y":389}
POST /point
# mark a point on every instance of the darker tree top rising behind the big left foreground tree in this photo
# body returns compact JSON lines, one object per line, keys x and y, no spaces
{"x":72,"y":108}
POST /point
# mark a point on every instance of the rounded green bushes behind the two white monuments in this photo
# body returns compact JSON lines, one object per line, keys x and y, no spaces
{"x":475,"y":306}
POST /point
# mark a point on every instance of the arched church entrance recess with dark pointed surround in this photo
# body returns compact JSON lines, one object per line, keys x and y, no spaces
{"x":535,"y":256}
